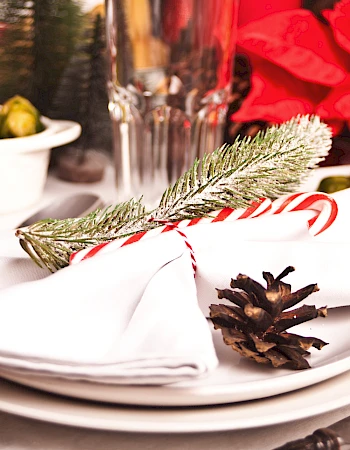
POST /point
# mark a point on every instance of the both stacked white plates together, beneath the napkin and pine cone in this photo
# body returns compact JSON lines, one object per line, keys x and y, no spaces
{"x":238,"y":394}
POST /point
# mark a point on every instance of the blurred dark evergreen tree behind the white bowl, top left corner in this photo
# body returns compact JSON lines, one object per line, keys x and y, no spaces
{"x":37,"y":44}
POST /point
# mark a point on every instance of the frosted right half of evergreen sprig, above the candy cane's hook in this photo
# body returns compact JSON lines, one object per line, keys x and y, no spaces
{"x":271,"y":164}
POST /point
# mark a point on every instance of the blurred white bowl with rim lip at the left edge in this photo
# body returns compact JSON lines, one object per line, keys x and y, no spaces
{"x":24,"y":162}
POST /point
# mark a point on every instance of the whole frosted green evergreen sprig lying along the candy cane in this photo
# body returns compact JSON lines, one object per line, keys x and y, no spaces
{"x":271,"y":164}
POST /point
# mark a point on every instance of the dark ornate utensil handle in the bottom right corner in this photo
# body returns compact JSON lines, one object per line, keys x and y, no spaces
{"x":334,"y":437}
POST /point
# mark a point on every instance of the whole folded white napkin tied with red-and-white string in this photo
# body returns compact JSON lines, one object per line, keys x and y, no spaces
{"x":137,"y":315}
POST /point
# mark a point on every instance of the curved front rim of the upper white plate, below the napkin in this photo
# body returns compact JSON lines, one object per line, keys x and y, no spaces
{"x":174,"y":395}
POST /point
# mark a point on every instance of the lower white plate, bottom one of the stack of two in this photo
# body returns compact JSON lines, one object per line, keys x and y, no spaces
{"x":325,"y":397}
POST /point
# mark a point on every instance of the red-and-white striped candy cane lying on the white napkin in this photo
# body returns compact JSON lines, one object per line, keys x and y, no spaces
{"x":325,"y":207}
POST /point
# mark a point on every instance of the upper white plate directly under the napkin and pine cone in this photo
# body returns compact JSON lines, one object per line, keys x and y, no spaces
{"x":236,"y":379}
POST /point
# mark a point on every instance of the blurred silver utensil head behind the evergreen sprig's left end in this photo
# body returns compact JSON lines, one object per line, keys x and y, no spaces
{"x":76,"y":205}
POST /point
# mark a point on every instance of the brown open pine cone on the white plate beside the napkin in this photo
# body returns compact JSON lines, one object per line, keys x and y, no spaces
{"x":256,"y":326}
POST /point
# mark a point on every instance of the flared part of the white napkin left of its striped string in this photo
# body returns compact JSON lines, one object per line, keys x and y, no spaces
{"x":129,"y":317}
